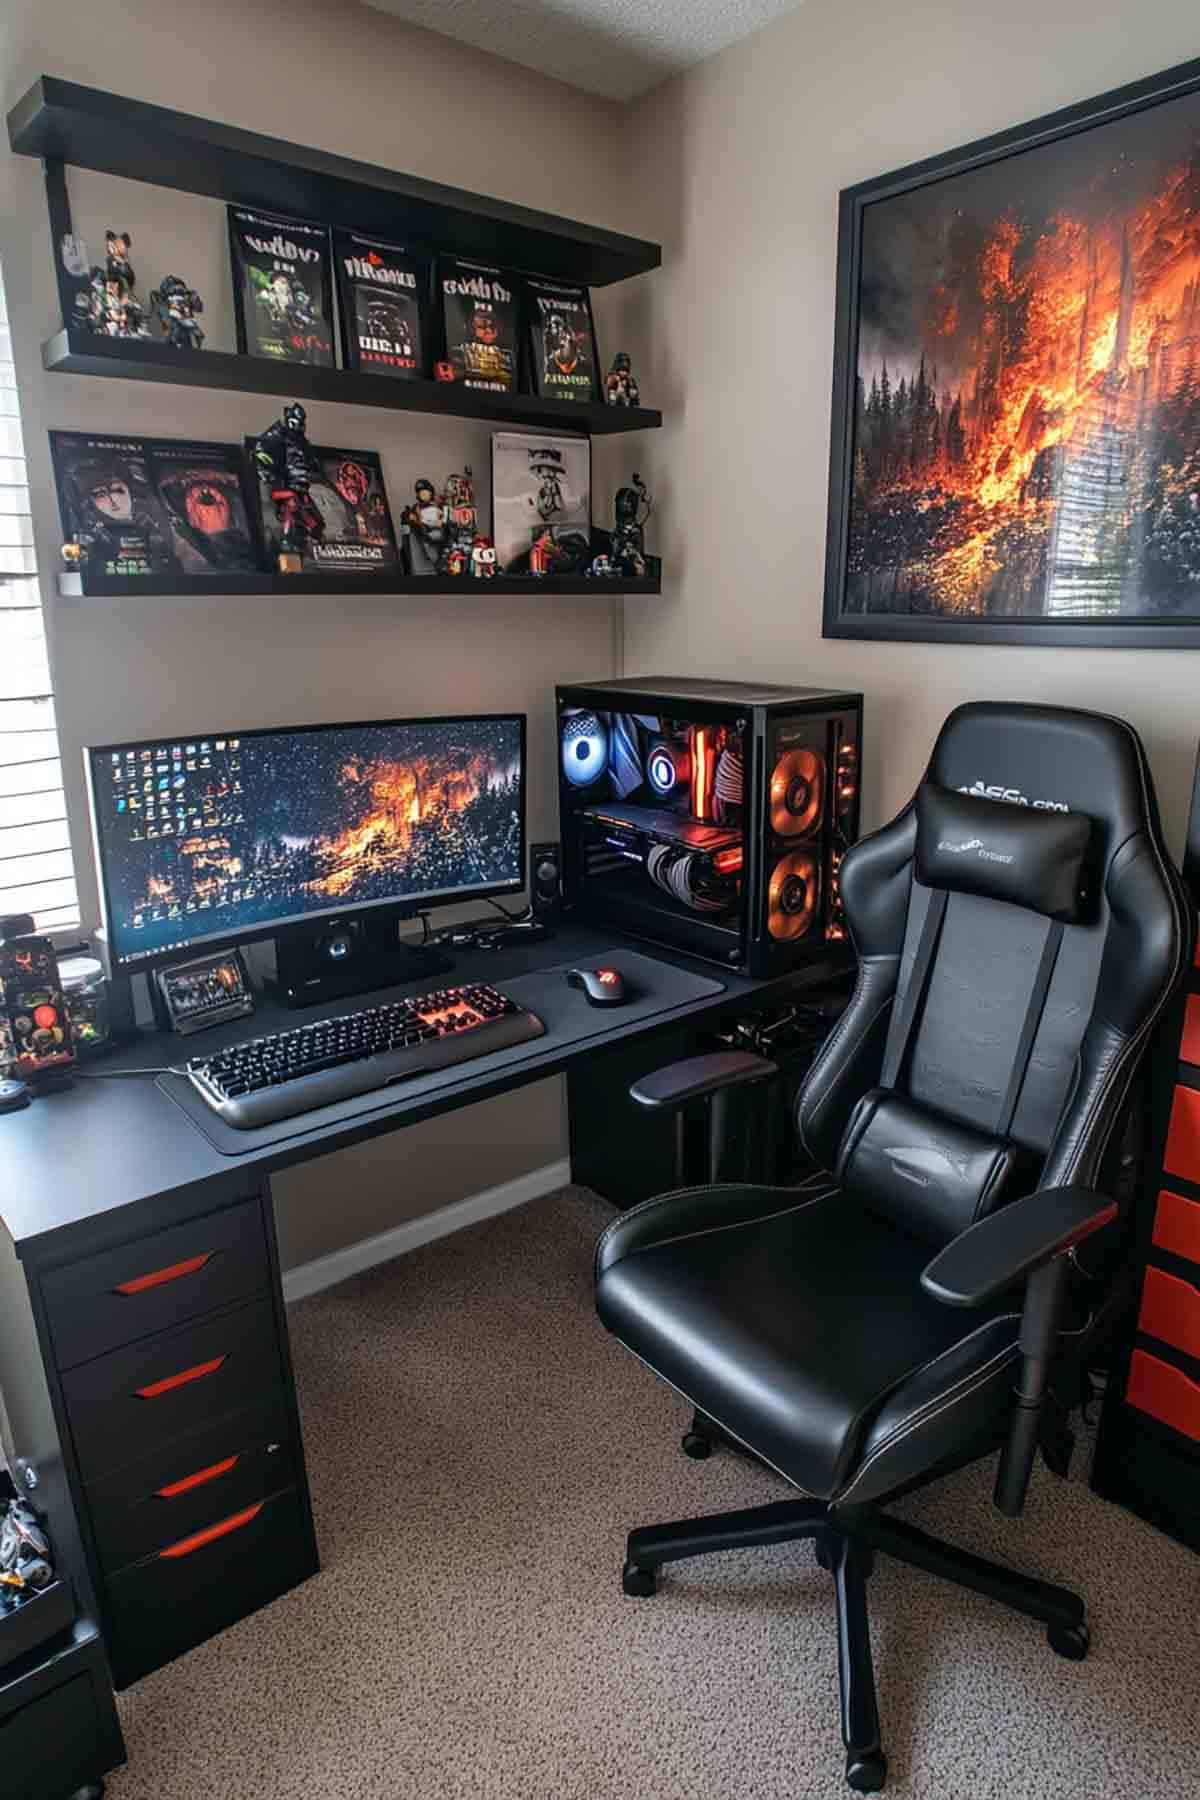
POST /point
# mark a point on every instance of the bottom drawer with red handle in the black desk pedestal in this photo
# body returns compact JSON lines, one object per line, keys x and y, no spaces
{"x":206,"y":1581}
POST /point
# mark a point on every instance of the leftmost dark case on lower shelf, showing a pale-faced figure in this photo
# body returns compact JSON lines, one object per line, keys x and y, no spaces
{"x":109,"y":503}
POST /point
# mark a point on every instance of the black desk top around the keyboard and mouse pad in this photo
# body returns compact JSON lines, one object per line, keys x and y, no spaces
{"x":103,"y":1146}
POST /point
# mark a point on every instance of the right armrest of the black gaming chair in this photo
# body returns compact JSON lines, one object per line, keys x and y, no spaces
{"x":1012,"y":1243}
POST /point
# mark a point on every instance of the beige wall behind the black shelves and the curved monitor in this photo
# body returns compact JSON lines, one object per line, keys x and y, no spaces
{"x":363,"y":85}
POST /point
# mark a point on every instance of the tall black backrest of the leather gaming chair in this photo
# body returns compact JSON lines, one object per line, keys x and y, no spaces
{"x":1059,"y":933}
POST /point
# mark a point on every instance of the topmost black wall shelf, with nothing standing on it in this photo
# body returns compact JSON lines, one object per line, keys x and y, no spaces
{"x":118,"y":136}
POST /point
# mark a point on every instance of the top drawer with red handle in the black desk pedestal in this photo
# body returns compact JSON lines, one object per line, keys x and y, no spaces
{"x":123,"y":1295}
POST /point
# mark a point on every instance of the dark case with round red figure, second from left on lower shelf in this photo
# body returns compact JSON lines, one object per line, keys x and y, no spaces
{"x":204,"y":496}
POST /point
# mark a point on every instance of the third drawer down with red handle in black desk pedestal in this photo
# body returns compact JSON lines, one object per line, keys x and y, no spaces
{"x":190,"y":1484}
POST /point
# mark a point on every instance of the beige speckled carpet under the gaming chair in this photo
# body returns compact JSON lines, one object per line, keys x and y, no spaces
{"x":479,"y":1448}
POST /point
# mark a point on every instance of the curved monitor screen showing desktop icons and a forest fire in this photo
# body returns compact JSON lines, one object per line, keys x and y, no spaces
{"x":231,"y":836}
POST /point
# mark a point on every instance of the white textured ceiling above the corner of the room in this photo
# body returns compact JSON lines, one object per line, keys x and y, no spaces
{"x":614,"y":48}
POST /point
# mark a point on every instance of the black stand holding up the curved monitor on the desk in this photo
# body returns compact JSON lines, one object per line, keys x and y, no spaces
{"x":350,"y":955}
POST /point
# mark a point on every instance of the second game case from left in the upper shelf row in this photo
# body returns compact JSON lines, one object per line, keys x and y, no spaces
{"x":382,"y":300}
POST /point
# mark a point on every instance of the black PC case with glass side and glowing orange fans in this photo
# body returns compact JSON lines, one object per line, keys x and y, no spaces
{"x":710,"y":816}
